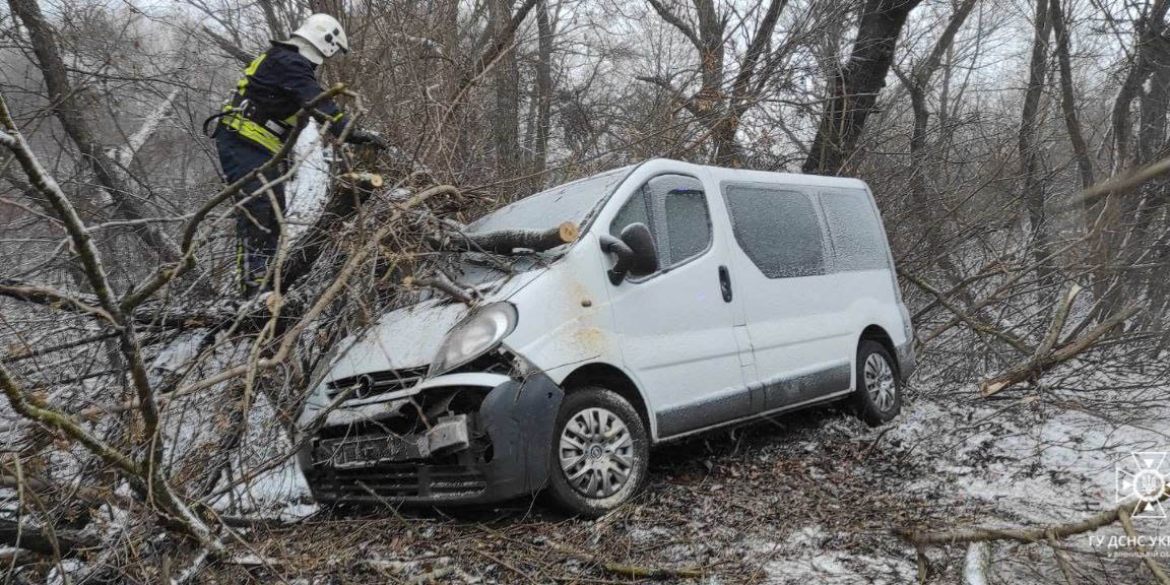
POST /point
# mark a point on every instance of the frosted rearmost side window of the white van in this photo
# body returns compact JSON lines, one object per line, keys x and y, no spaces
{"x":855,"y":231}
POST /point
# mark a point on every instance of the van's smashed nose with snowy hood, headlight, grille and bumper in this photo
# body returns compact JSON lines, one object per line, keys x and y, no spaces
{"x":472,"y":430}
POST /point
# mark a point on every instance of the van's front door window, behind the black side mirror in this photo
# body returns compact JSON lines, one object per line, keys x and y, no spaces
{"x":675,"y":208}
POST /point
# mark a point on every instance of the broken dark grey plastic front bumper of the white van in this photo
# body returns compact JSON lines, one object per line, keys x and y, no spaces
{"x":499,"y":452}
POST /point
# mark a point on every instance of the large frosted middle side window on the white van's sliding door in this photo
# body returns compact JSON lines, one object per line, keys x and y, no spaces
{"x":779,"y":230}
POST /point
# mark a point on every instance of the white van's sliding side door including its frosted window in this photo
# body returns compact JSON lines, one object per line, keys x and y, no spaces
{"x":794,"y":307}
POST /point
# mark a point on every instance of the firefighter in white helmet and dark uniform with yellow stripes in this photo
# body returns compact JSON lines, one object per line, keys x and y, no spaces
{"x":258,"y":120}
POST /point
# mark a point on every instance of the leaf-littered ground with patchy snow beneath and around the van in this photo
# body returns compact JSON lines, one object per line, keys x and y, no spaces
{"x":807,"y":499}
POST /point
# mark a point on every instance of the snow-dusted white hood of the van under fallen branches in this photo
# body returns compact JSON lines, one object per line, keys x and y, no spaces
{"x":410,"y":338}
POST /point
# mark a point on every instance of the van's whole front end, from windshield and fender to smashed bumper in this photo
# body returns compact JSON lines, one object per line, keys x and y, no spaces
{"x":445,"y":403}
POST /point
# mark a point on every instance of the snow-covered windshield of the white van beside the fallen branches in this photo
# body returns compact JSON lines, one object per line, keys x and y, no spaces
{"x":574,"y":202}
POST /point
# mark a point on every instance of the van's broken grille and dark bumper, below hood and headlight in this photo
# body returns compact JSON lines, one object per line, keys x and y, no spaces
{"x":464,"y":438}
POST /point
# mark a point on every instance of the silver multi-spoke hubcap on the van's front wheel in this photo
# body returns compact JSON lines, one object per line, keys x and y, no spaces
{"x":597,"y":453}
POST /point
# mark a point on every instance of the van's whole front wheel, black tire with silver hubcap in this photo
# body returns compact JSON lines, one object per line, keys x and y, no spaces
{"x":605,"y":460}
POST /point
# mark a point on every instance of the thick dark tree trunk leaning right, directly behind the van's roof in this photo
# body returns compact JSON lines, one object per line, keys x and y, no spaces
{"x":854,"y":90}
